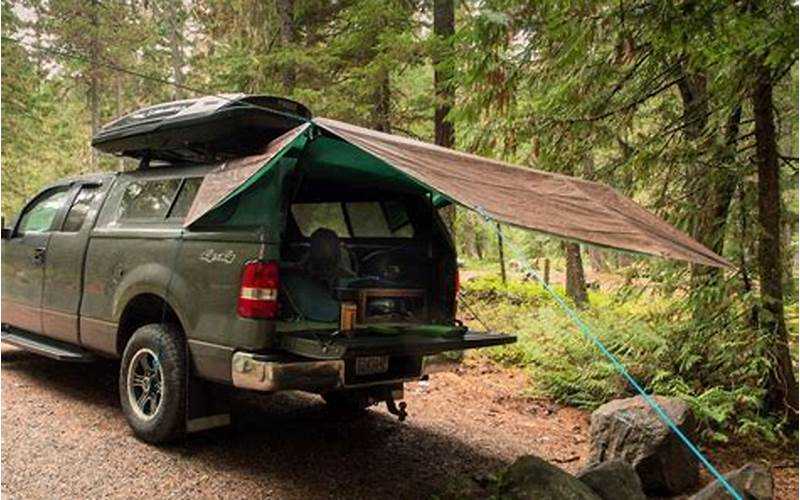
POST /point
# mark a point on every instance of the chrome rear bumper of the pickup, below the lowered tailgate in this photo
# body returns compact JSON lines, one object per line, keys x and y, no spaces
{"x":254,"y":372}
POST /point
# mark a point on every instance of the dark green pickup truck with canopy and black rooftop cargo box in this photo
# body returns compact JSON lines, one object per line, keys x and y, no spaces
{"x":297,"y":276}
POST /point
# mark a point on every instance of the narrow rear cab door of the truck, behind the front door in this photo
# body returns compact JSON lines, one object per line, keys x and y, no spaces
{"x":63,"y":270}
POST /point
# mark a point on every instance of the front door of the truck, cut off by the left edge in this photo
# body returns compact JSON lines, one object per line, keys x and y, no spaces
{"x":24,"y":257}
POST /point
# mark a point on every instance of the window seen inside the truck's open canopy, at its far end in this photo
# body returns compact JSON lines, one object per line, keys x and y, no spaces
{"x":367,"y":219}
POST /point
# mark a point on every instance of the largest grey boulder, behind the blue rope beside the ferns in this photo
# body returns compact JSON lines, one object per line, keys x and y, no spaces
{"x":629,"y":430}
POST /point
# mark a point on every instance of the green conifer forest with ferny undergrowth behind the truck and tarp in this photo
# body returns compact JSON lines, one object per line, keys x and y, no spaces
{"x":689,"y":107}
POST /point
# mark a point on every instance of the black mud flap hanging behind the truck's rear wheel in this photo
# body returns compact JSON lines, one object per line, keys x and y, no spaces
{"x":207,"y":405}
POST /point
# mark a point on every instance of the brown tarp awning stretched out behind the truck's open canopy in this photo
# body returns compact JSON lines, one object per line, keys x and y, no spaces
{"x":542,"y":201}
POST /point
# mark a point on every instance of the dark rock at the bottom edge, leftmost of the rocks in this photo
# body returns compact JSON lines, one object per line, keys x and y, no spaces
{"x":530,"y":477}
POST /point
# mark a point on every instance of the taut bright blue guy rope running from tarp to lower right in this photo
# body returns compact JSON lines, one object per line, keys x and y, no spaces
{"x":587,"y":333}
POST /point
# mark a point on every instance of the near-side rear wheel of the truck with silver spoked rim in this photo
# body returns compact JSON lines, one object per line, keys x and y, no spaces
{"x":152,"y":383}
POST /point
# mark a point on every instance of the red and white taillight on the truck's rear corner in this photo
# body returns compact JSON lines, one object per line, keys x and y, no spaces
{"x":258,"y":297}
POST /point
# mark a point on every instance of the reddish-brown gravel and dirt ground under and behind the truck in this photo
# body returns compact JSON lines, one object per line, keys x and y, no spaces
{"x":63,"y":435}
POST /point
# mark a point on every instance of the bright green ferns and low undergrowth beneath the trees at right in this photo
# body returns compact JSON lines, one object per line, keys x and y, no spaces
{"x":718,"y":367}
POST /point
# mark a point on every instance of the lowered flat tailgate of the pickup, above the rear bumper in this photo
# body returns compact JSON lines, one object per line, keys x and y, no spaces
{"x":327,"y":346}
